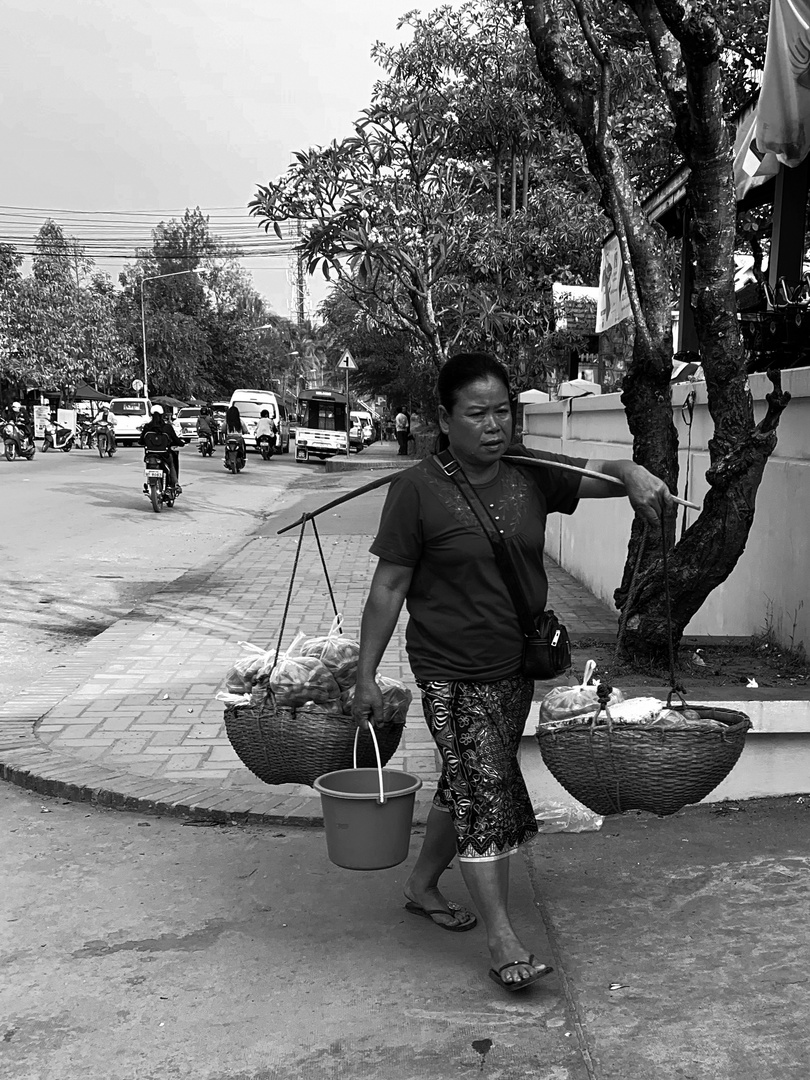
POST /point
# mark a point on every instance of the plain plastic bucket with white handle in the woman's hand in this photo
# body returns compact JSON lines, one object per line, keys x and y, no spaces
{"x":368,"y":815}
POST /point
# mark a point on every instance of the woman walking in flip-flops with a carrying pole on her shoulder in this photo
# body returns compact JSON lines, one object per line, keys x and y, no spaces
{"x":465,"y":641}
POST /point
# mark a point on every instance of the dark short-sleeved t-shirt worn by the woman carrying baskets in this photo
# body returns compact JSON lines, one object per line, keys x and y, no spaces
{"x":463,"y":624}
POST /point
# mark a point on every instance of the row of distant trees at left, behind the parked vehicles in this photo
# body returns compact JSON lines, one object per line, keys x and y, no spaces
{"x":208,"y":330}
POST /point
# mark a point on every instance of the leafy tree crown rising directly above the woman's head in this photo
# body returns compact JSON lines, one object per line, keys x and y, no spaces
{"x":457,"y":198}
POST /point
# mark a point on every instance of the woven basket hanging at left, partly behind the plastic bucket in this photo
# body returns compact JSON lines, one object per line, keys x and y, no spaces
{"x":285,"y":746}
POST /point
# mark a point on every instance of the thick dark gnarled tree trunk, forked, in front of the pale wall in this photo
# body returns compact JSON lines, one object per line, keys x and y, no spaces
{"x":690,"y":75}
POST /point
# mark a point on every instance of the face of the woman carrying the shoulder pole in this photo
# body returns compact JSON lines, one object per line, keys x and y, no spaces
{"x":480,"y":426}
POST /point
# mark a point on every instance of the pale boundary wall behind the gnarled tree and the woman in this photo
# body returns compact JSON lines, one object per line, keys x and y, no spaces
{"x":771,"y":585}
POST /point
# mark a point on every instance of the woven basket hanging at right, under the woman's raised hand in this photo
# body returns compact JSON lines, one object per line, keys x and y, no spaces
{"x":613,"y":768}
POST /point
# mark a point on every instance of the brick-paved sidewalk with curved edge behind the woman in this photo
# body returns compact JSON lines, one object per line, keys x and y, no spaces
{"x":131,"y":720}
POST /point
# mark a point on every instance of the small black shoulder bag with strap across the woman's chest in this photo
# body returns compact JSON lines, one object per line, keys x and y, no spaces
{"x":547,"y":650}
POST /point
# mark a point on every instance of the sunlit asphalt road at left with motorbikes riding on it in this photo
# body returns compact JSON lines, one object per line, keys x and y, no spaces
{"x":80,"y":544}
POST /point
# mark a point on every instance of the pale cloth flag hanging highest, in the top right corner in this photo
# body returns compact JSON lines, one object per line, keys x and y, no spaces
{"x":784,"y":112}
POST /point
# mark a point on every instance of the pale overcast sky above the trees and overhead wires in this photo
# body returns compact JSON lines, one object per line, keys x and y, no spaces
{"x":158,"y":106}
